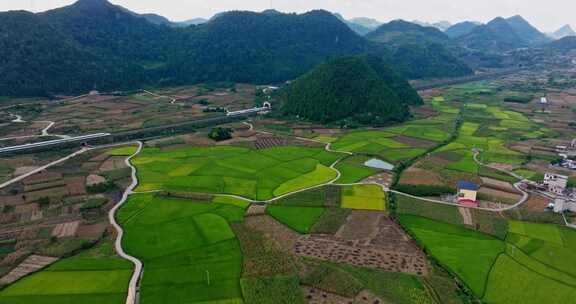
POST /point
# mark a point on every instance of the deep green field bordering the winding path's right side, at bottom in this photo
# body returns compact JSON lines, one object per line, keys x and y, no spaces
{"x":188,"y":248}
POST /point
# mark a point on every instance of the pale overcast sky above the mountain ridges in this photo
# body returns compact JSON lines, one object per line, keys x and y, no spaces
{"x":547,"y":15}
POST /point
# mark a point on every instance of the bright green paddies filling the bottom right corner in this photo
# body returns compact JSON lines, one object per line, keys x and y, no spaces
{"x":523,"y":268}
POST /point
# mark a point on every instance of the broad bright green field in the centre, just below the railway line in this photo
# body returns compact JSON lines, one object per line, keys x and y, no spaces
{"x":259,"y":175}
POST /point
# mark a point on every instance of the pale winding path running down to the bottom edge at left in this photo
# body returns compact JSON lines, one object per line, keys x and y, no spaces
{"x":132,"y":297}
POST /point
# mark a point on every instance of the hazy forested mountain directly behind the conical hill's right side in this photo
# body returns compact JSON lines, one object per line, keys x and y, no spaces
{"x":419,"y":52}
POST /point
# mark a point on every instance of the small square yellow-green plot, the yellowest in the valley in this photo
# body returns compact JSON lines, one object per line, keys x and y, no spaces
{"x":363,"y":197}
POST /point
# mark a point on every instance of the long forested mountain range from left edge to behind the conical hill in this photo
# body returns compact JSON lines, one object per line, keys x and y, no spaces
{"x":108,"y":48}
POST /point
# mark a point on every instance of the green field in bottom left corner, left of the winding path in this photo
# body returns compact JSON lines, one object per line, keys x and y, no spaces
{"x":93,"y":277}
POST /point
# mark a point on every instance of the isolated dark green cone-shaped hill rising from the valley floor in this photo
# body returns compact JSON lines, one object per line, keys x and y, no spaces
{"x":358,"y":88}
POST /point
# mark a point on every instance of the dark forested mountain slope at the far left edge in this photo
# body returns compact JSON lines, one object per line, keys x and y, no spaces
{"x":37,"y":58}
